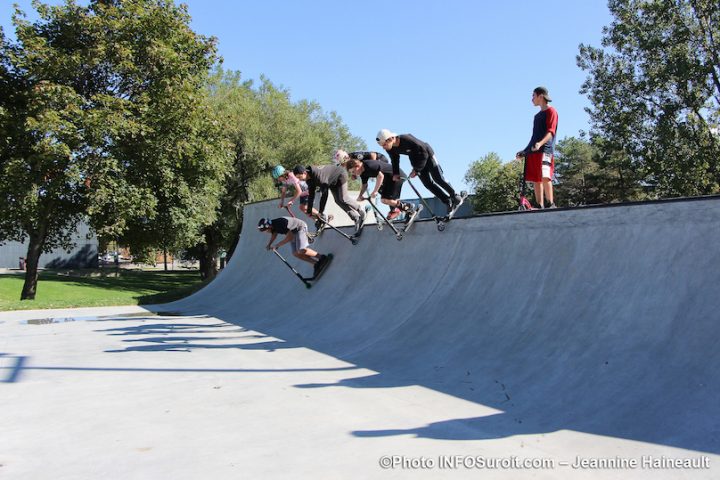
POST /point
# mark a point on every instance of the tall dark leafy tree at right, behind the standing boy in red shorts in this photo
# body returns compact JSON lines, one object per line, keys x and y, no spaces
{"x":655,"y":94}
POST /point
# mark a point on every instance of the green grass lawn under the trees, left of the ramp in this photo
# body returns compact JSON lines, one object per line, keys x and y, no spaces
{"x":98,"y":288}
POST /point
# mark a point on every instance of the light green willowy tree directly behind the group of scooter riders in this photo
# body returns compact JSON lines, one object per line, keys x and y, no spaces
{"x":264,"y":128}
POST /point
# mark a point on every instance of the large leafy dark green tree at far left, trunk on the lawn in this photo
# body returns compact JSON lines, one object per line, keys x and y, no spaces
{"x":105,"y":118}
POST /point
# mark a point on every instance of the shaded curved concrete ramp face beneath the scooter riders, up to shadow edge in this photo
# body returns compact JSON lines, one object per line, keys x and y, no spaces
{"x":598,"y":320}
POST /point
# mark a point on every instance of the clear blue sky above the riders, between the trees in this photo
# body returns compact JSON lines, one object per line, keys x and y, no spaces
{"x":457,"y":74}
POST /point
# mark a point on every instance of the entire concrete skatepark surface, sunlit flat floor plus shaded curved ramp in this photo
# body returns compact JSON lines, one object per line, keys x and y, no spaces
{"x":584,"y":337}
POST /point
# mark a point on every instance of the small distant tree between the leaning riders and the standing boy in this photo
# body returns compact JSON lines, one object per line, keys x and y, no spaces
{"x":495,"y":184}
